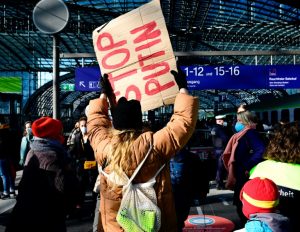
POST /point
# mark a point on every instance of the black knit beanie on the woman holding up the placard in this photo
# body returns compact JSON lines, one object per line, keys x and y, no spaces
{"x":127,"y":115}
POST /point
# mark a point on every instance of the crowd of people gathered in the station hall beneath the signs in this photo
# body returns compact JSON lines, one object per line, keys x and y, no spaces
{"x":58,"y":173}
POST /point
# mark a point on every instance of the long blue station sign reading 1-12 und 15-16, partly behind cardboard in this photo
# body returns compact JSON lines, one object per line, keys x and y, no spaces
{"x":215,"y":77}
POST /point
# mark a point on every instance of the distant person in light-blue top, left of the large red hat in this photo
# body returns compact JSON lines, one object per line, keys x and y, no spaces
{"x":25,"y":142}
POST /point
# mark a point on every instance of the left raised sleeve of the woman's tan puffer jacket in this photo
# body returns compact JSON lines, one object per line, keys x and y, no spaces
{"x":98,"y":123}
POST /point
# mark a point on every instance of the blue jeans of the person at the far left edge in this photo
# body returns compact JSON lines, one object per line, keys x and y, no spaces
{"x":6,"y":176}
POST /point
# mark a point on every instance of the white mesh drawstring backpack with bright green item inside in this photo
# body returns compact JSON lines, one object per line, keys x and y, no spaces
{"x":138,"y":211}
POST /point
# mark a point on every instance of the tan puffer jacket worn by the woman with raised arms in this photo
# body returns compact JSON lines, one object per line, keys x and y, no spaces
{"x":166,"y":141}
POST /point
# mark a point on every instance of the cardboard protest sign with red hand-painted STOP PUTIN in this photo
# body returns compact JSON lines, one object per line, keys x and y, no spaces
{"x":135,"y":51}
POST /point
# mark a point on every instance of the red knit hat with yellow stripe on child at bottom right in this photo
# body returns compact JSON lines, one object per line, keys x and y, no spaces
{"x":259,"y":195}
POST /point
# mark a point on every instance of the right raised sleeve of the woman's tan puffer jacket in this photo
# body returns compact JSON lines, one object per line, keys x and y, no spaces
{"x":180,"y":128}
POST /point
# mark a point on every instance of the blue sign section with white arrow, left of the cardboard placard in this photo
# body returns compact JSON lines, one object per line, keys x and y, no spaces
{"x":87,"y":79}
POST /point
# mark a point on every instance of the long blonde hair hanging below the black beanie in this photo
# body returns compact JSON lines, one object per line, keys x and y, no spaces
{"x":120,"y":158}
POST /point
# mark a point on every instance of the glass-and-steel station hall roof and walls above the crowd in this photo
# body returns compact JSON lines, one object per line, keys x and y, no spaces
{"x":210,"y":32}
